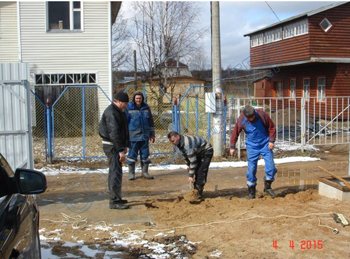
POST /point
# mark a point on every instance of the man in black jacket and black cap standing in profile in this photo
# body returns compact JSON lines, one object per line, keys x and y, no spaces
{"x":113,"y":129}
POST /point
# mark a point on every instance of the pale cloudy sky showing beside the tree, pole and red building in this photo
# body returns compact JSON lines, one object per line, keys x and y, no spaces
{"x":241,"y":17}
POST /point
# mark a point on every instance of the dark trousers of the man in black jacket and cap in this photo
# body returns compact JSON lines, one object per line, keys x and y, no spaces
{"x":115,"y":173}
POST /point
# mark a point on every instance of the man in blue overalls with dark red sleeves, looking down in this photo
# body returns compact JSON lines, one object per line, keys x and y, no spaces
{"x":260,"y":137}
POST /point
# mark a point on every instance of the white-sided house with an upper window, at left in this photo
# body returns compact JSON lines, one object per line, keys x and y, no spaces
{"x":78,"y":43}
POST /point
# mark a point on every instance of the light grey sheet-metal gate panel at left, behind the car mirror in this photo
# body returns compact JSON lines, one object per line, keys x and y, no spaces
{"x":15,"y":115}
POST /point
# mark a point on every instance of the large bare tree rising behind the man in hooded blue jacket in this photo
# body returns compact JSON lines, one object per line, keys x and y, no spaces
{"x":165,"y":30}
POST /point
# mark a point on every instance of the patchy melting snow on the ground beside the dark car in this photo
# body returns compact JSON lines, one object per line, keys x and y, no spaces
{"x":117,"y":245}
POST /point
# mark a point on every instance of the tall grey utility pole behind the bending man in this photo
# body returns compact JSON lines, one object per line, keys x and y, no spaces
{"x":218,"y":130}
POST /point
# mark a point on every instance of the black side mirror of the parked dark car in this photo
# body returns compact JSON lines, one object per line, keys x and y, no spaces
{"x":30,"y":181}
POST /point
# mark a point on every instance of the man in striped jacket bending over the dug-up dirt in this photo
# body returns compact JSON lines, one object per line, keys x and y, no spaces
{"x":198,"y":154}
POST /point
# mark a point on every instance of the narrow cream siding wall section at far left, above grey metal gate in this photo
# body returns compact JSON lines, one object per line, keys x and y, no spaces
{"x":8,"y":32}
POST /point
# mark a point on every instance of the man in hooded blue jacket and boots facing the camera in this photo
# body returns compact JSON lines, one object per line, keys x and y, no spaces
{"x":141,"y":131}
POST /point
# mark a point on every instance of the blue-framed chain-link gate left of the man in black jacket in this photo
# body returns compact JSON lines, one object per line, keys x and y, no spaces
{"x":67,"y":127}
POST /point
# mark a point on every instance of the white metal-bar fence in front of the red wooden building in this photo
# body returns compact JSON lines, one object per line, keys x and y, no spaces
{"x":300,"y":122}
